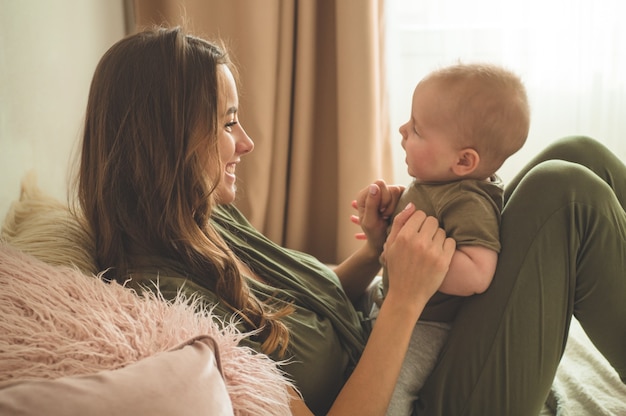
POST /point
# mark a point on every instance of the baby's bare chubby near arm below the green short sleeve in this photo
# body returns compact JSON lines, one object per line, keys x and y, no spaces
{"x":471,"y":271}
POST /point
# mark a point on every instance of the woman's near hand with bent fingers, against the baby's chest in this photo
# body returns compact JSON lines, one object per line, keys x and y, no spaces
{"x":417,"y":255}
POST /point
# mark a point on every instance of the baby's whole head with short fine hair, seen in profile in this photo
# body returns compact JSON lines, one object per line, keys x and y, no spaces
{"x":474,"y":115}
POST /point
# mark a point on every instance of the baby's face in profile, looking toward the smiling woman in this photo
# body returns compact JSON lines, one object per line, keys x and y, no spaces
{"x":427,"y":137}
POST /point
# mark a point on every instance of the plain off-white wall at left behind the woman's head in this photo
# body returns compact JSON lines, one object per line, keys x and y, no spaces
{"x":48,"y":52}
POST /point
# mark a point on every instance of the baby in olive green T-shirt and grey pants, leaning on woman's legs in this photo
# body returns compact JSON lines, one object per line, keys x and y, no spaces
{"x":466,"y":120}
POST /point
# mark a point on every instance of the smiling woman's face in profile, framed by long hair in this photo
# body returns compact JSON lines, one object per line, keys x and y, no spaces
{"x":232,"y":139}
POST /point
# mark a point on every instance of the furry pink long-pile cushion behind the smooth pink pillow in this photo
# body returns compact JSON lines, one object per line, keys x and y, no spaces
{"x":58,"y":322}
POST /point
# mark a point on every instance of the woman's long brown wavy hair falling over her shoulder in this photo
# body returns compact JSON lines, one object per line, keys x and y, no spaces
{"x":150,"y":165}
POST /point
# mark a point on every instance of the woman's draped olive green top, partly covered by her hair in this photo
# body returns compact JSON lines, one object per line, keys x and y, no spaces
{"x":327,"y":335}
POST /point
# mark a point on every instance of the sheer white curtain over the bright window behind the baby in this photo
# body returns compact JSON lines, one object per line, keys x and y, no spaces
{"x":571,"y":55}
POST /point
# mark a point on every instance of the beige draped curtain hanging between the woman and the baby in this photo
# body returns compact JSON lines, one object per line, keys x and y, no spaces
{"x":313,"y":98}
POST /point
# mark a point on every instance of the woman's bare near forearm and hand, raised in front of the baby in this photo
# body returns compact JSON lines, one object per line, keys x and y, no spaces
{"x":417,"y":254}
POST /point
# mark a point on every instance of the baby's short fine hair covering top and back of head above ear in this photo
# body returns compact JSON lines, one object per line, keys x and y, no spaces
{"x":490,"y":110}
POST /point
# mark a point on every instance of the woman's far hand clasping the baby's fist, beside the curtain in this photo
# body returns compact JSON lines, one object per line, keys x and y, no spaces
{"x":374,"y":205}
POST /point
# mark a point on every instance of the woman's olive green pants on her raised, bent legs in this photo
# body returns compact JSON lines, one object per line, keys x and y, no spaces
{"x":563,"y":253}
